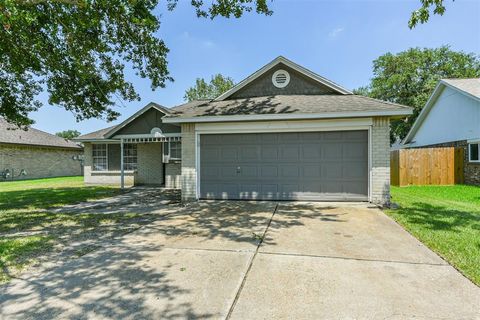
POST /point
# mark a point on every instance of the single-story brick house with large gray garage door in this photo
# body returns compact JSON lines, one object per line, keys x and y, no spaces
{"x":283,"y":133}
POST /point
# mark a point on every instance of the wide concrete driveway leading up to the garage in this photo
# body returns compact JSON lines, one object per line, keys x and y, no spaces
{"x":246,"y":260}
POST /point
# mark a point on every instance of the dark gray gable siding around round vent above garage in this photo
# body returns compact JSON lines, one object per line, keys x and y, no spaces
{"x":299,"y":84}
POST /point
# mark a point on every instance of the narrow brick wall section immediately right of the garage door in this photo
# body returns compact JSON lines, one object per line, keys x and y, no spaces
{"x":380,"y":184}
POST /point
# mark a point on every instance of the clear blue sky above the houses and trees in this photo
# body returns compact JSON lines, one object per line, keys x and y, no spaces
{"x":337,"y":39}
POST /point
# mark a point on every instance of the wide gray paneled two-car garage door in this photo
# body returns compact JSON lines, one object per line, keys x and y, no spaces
{"x":285,"y":166}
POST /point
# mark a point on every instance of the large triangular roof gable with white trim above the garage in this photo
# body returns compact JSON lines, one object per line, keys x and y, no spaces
{"x":303,"y":81}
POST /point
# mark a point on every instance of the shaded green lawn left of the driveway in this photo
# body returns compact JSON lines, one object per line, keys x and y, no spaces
{"x":28,"y":228}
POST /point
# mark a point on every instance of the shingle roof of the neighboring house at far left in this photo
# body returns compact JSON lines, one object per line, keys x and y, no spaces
{"x":11,"y":134}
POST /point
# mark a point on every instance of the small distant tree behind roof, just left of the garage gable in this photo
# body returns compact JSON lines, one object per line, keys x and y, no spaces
{"x":203,"y":90}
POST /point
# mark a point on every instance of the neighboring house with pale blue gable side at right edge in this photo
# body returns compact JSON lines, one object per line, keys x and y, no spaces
{"x":451,"y":117}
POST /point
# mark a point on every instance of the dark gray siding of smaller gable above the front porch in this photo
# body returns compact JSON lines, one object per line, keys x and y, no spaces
{"x":146,"y":122}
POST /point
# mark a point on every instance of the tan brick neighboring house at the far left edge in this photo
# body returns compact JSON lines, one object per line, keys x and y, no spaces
{"x":37,"y":153}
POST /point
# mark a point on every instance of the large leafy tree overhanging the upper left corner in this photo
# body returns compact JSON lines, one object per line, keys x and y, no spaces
{"x":77,"y":51}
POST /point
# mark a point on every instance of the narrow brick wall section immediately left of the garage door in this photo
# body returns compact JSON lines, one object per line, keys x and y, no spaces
{"x":189,"y":173}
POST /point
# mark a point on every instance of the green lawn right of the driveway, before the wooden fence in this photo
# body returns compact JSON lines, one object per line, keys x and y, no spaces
{"x":446,"y":219}
